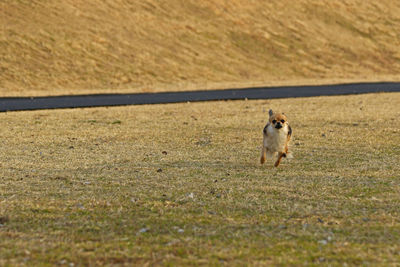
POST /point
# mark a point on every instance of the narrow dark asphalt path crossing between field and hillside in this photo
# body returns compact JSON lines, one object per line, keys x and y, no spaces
{"x":79,"y":101}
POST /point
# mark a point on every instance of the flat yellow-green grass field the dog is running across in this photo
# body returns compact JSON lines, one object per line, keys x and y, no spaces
{"x":180,"y":184}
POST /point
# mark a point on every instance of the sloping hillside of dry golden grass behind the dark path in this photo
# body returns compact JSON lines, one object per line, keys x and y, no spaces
{"x":96,"y":46}
